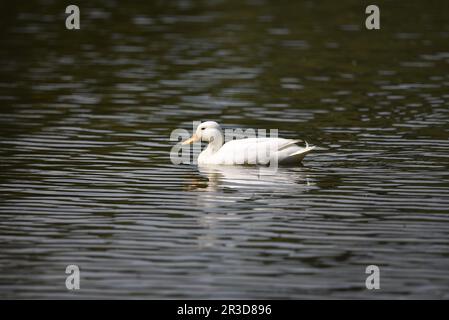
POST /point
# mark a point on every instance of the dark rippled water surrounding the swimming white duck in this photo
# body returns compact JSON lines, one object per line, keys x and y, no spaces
{"x":86,"y":177}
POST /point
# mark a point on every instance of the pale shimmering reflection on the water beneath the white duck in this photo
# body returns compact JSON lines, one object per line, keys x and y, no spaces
{"x":231,"y":194}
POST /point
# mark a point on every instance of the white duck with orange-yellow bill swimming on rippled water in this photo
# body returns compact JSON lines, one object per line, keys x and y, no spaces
{"x":255,"y":151}
